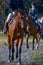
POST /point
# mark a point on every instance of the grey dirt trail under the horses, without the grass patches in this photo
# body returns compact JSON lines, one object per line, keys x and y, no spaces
{"x":26,"y":59}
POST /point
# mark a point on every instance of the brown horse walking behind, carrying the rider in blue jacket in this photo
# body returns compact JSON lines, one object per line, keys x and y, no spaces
{"x":32,"y":28}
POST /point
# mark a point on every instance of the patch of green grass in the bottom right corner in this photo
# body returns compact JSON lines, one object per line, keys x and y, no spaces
{"x":36,"y":57}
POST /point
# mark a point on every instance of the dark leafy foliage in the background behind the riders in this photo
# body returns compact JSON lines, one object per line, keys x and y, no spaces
{"x":4,"y":8}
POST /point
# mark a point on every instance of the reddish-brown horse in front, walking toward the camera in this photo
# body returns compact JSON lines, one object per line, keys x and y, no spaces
{"x":15,"y":32}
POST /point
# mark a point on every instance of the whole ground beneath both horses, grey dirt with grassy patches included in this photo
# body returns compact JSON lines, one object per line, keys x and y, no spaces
{"x":28,"y":55}
